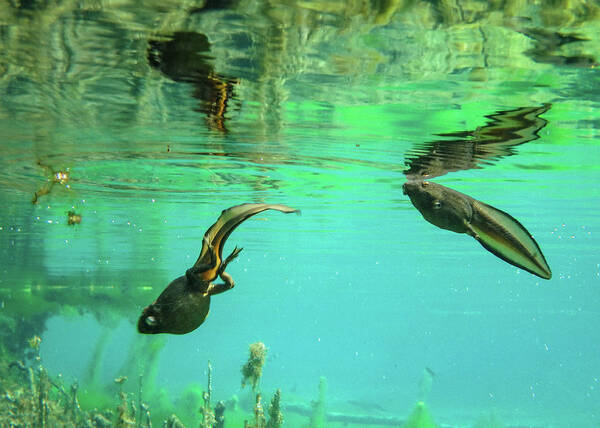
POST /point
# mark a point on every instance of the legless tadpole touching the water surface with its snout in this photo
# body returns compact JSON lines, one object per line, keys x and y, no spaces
{"x":497,"y":231}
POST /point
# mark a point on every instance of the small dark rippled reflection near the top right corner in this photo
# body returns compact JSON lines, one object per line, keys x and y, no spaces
{"x":548,"y":44}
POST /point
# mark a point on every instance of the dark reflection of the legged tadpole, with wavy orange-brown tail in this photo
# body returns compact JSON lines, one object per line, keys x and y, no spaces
{"x":183,"y":58}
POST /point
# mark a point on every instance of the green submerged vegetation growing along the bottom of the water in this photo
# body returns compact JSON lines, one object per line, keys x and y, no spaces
{"x":31,"y":396}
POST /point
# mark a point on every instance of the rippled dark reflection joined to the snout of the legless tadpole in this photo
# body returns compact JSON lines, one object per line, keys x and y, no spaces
{"x":482,"y":146}
